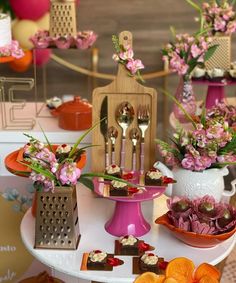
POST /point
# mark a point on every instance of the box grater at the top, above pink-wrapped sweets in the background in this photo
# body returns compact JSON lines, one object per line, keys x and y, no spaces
{"x":63,"y":18}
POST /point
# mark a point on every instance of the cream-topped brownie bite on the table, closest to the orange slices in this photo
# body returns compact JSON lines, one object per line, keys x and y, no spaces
{"x":149,"y":262}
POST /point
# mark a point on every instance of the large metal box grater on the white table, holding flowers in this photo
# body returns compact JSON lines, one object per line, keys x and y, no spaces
{"x":57,"y":223}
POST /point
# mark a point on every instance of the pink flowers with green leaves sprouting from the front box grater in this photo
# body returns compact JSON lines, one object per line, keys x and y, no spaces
{"x":51,"y":166}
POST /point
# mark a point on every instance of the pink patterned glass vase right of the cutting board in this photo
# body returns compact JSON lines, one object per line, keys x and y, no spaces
{"x":184,"y":94}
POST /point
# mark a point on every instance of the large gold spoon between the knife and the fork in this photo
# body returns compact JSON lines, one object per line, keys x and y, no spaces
{"x":124,"y":117}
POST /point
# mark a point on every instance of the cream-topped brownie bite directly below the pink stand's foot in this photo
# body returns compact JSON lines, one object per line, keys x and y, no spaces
{"x":129,"y":245}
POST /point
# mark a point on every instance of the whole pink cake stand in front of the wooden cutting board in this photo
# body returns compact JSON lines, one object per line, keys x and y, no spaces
{"x":127,"y":218}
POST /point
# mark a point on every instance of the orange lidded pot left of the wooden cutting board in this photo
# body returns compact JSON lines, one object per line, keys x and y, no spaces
{"x":74,"y":115}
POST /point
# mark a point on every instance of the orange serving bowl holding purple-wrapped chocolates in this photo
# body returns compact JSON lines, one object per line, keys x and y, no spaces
{"x":194,"y":239}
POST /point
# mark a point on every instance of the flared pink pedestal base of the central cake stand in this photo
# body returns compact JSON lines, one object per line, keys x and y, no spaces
{"x":127,"y":220}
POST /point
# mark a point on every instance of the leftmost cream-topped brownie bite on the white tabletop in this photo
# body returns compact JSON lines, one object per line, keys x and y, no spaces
{"x":97,"y":260}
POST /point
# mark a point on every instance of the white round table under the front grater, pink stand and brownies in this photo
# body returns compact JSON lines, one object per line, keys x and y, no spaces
{"x":93,"y":214}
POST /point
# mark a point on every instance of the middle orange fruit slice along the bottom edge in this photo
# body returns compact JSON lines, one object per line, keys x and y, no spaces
{"x":181,"y":269}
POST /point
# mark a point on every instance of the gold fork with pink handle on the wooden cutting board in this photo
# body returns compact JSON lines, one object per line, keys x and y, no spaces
{"x":143,"y":124}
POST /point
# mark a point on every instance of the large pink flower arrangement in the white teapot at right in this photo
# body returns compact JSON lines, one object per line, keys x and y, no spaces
{"x":211,"y":144}
